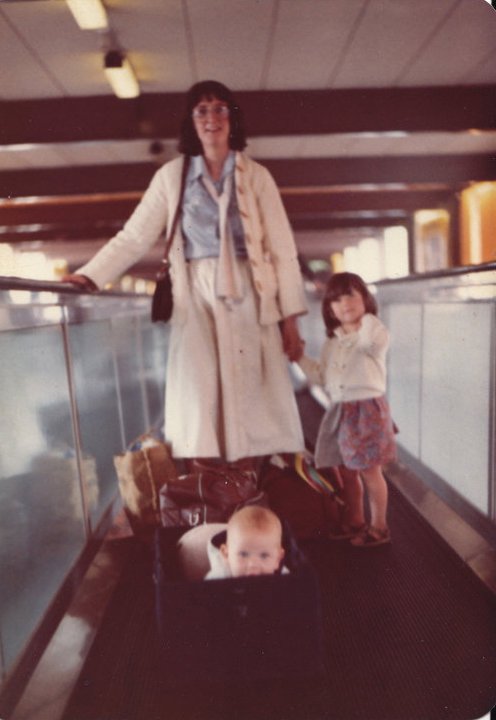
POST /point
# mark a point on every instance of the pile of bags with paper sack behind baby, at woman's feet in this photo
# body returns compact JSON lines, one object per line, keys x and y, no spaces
{"x":155,"y":493}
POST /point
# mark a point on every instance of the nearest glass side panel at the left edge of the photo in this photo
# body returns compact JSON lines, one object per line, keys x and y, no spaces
{"x":41,"y":515}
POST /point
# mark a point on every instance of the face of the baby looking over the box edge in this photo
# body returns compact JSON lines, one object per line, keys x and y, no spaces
{"x":253,"y":552}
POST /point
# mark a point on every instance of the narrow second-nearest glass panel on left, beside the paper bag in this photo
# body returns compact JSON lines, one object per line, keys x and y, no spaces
{"x":97,"y":399}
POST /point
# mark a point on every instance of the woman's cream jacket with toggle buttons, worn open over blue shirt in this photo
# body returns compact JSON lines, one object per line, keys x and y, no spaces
{"x":269,"y":240}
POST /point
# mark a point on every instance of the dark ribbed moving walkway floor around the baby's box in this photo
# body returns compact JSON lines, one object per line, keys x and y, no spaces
{"x":410,"y":634}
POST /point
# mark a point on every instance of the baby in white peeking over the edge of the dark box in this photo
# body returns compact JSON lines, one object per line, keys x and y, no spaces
{"x":253,"y":545}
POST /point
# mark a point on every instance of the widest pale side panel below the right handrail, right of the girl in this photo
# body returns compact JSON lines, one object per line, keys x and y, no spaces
{"x":456,"y":393}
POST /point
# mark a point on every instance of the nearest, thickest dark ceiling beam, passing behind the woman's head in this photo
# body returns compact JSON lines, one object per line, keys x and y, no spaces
{"x":266,"y":113}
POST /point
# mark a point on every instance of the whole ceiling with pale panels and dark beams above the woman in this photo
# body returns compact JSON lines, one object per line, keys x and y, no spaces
{"x":363,"y":110}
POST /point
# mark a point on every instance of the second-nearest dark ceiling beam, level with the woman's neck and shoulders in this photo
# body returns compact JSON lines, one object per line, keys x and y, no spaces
{"x":300,"y":172}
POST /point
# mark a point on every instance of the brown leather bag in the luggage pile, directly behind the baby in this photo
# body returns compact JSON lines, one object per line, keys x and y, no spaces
{"x":208,"y":496}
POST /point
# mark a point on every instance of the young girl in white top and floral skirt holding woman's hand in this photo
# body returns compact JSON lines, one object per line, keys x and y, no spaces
{"x":356,"y":431}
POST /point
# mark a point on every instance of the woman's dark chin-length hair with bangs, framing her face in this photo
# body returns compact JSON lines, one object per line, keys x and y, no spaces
{"x":189,"y":143}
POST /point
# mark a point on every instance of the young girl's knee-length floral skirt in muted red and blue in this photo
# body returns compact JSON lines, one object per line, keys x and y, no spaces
{"x":358,"y":435}
